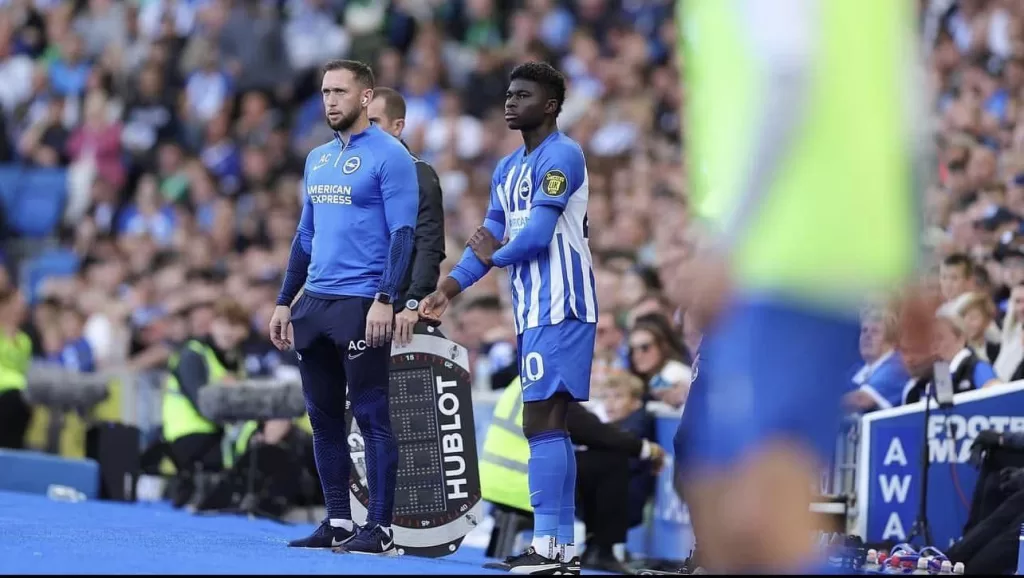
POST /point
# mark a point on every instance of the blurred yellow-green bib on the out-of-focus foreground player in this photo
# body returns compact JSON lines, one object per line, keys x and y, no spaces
{"x":839,"y":219}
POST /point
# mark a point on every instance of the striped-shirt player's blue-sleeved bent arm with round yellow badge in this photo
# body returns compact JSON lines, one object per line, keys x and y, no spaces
{"x":563,"y":174}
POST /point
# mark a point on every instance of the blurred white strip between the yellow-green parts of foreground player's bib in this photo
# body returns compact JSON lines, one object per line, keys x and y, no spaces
{"x":783,"y":37}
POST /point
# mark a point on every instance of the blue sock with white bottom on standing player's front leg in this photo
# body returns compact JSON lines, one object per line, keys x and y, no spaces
{"x":547,"y":474}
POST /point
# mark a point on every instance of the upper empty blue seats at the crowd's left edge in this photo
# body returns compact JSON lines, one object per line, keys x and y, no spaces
{"x":34,"y":200}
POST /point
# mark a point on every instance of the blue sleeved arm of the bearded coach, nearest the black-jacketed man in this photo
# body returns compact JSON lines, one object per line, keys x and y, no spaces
{"x":401,"y":192}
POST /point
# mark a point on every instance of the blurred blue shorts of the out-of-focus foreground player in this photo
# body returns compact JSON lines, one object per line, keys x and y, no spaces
{"x":770,"y":371}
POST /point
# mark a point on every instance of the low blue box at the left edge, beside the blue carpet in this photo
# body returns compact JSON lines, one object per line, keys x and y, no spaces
{"x":35,"y":473}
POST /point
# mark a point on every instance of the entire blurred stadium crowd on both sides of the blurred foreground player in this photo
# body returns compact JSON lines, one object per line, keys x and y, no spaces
{"x":184,"y":127}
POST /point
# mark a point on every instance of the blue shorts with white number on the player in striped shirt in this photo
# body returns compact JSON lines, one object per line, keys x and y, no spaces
{"x":557,"y":358}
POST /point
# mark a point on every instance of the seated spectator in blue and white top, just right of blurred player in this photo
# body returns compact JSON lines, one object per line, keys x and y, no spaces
{"x":879,"y":384}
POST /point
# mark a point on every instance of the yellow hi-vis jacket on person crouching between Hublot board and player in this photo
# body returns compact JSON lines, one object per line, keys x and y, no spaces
{"x":506,"y":453}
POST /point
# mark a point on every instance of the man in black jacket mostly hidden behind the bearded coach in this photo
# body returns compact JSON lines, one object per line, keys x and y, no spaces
{"x":388,"y":110}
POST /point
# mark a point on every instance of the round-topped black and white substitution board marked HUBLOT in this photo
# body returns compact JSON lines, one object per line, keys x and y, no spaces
{"x":438,"y":497}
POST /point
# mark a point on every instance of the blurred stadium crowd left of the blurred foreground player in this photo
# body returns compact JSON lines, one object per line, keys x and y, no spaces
{"x":184,"y":127}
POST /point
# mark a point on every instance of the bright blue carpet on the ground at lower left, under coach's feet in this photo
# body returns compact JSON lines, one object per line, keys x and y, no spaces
{"x":42,"y":536}
